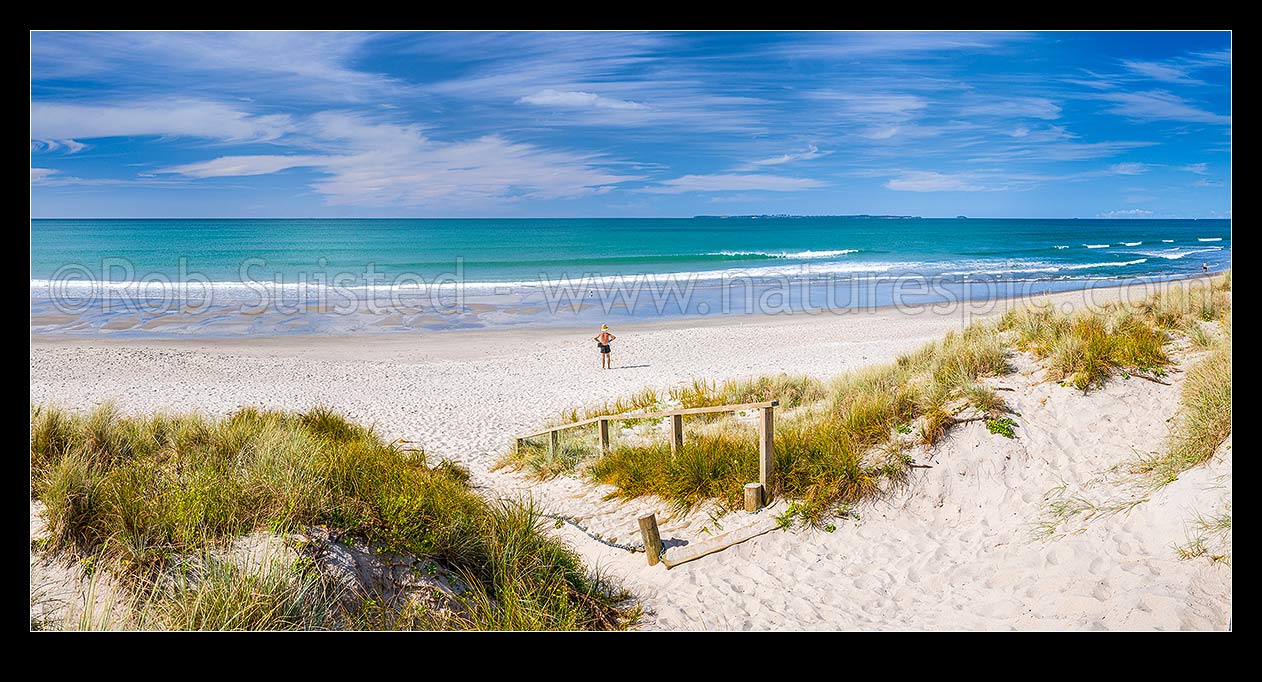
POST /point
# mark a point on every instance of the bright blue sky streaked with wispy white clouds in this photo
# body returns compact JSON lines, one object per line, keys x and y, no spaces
{"x":630,"y":124}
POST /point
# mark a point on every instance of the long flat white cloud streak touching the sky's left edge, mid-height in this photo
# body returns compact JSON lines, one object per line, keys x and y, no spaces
{"x":61,"y":124}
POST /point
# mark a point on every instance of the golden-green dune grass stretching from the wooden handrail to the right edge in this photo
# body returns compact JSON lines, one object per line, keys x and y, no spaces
{"x":847,"y":440}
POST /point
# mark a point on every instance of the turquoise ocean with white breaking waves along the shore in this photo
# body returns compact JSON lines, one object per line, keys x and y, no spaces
{"x":281,"y":277}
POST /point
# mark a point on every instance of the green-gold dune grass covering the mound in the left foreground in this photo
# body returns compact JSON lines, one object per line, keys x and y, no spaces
{"x":142,"y":492}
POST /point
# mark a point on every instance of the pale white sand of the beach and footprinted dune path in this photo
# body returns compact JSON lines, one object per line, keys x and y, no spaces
{"x":957,"y":550}
